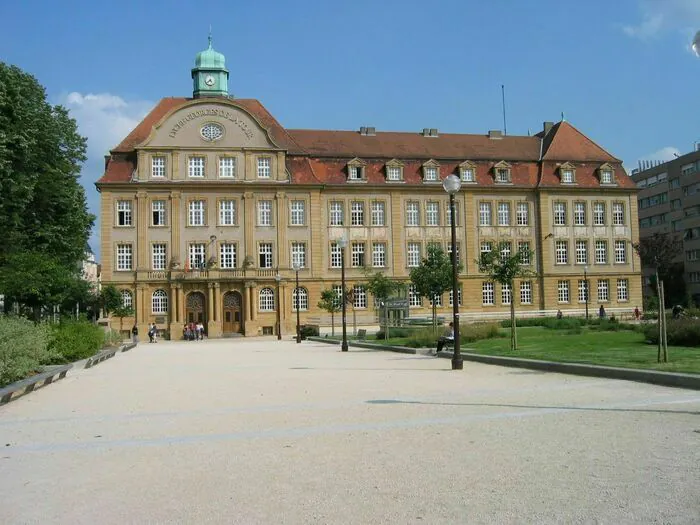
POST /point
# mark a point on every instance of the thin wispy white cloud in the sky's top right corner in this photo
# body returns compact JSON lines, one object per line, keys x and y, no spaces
{"x":659,"y":16}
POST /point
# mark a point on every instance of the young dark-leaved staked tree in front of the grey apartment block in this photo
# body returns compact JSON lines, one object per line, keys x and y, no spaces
{"x":658,"y":251}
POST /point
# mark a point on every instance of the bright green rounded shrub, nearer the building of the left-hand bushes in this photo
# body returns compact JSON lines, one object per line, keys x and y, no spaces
{"x":75,"y":340}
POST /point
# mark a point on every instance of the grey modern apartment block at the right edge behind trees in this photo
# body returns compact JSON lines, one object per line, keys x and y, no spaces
{"x":669,"y":201}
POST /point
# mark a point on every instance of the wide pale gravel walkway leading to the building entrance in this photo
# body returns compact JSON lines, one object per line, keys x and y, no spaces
{"x":261,"y":431}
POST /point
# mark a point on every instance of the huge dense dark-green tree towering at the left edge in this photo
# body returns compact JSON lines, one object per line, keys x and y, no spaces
{"x":43,"y":212}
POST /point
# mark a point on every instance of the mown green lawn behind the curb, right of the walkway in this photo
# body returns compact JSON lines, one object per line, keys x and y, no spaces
{"x":625,"y":349}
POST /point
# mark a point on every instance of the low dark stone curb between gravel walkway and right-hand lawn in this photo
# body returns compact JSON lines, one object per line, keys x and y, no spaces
{"x":680,"y":380}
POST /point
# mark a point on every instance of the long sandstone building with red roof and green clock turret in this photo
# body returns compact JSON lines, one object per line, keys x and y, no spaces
{"x":209,"y":202}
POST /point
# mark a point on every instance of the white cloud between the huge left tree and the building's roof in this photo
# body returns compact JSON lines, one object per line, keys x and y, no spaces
{"x":105,"y":120}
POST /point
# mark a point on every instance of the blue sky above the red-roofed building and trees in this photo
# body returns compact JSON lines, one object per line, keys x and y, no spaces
{"x":621,"y":71}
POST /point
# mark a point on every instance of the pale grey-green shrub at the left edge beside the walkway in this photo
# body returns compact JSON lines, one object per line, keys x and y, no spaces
{"x":24,"y":347}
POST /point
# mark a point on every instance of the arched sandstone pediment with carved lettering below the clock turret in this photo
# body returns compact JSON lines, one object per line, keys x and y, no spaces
{"x":184,"y":128}
